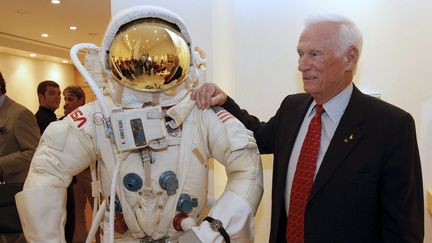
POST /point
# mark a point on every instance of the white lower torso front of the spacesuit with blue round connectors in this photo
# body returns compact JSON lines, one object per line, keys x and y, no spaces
{"x":178,"y":182}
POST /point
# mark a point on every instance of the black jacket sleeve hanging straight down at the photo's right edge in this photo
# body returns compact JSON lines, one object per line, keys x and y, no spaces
{"x":401,"y":186}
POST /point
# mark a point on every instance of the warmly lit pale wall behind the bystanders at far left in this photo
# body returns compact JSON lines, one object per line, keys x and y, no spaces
{"x":23,"y":75}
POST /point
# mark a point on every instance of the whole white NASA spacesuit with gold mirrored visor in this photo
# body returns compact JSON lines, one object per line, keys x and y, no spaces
{"x":151,"y":142}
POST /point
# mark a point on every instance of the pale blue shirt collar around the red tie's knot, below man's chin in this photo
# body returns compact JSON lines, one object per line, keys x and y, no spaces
{"x":336,"y":106}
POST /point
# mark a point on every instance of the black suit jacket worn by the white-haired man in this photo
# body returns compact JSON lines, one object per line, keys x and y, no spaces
{"x":369,"y":186}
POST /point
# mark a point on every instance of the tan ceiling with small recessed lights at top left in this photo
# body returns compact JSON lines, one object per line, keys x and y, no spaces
{"x":23,"y":21}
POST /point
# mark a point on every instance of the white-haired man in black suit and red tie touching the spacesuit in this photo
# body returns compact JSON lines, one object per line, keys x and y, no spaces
{"x":358,"y":178}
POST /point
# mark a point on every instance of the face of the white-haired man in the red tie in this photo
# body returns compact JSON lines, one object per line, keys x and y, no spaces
{"x":325,"y":72}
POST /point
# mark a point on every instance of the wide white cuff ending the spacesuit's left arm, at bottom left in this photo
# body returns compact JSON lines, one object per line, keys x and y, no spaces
{"x":42,"y":213}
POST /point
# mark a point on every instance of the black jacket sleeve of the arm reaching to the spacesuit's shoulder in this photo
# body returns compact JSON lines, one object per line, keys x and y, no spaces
{"x":264,"y":132}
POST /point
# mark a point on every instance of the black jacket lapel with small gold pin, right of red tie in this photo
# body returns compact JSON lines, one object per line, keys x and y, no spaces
{"x":345,"y":139}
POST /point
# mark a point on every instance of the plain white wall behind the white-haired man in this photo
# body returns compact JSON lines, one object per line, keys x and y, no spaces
{"x":395,"y":60}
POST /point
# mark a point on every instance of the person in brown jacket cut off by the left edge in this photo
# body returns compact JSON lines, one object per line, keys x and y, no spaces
{"x":19,"y":137}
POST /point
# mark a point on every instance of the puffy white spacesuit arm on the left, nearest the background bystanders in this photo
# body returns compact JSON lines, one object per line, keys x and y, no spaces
{"x":63,"y":152}
